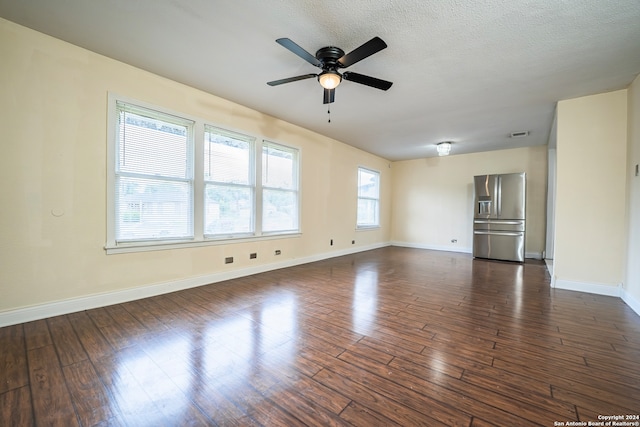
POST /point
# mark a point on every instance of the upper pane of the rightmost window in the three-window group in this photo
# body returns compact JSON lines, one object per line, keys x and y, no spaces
{"x":278,"y":167}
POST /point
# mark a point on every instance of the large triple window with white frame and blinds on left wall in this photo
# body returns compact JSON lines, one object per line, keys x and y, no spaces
{"x":176,"y":181}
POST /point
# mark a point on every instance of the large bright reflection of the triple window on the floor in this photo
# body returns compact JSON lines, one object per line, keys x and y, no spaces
{"x":163,"y":375}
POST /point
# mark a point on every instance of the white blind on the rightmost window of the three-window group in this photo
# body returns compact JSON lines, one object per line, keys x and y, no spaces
{"x":280,"y":193}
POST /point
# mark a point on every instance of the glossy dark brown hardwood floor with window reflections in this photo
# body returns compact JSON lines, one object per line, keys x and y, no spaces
{"x":388,"y":337}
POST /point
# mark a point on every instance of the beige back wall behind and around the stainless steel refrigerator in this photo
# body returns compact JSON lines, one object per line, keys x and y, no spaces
{"x":433,"y":198}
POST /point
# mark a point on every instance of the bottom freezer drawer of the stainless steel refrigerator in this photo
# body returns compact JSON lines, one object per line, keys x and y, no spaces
{"x":502,"y":245}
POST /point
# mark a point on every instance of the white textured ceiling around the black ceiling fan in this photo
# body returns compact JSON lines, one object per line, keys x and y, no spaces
{"x":468,"y":72}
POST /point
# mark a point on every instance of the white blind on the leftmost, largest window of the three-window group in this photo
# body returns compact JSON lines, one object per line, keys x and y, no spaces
{"x":154,"y":175}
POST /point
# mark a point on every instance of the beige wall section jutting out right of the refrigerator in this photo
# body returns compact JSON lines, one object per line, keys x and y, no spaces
{"x":590,"y":243}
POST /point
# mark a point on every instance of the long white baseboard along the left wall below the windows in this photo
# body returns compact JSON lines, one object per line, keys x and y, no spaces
{"x":57,"y":308}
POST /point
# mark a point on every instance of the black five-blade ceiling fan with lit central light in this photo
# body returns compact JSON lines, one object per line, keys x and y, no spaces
{"x":330,"y":59}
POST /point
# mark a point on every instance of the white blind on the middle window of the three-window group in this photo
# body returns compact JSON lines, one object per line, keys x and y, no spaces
{"x":229,"y":183}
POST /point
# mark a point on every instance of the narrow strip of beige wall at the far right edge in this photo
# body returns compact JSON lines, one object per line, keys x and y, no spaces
{"x":632,"y":279}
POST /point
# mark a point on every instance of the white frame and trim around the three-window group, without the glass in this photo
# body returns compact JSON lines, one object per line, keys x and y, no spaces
{"x":200,"y":238}
